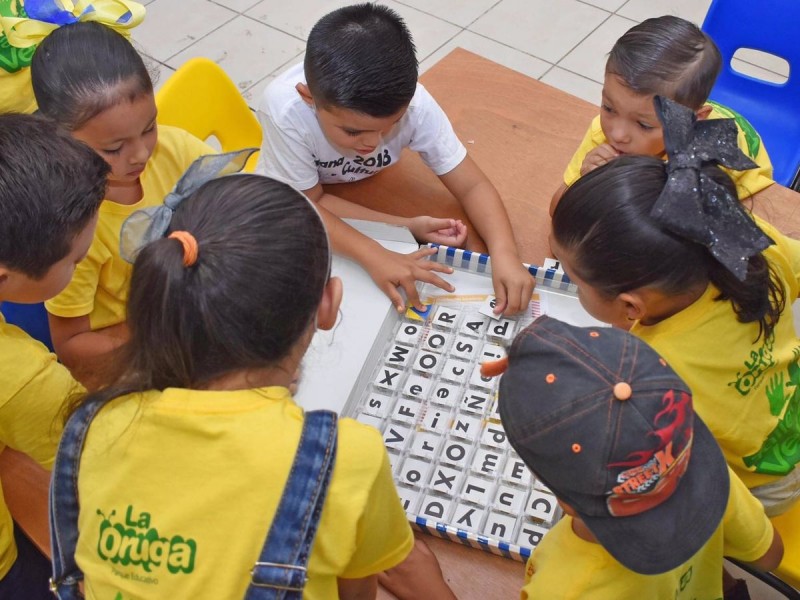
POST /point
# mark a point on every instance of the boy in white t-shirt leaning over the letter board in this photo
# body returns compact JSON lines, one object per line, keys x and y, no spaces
{"x":346,"y":114}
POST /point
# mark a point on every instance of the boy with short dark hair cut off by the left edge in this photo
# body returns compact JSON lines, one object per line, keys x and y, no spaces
{"x":51,"y":187}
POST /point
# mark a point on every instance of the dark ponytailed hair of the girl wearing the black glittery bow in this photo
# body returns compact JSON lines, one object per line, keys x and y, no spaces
{"x":604,"y":220}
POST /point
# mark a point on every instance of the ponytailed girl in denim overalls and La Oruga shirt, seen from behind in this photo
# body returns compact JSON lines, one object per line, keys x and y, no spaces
{"x":191,"y":447}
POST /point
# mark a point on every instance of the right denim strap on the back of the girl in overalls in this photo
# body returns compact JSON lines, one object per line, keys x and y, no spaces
{"x":280,"y":572}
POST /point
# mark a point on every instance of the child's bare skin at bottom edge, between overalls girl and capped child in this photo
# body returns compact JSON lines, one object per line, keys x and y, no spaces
{"x":418,"y":576}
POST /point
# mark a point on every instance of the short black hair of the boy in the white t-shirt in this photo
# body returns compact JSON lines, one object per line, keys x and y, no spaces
{"x":361,"y":58}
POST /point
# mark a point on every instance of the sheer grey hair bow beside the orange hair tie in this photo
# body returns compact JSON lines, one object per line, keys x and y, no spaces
{"x":149,"y":224}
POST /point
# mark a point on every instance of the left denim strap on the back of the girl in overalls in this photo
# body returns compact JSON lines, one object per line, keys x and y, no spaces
{"x":64,"y":503}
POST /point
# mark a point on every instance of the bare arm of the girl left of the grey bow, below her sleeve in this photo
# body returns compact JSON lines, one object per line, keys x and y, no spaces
{"x":78,"y":347}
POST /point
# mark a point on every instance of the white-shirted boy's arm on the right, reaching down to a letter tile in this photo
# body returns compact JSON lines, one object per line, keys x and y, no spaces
{"x":513,"y":285}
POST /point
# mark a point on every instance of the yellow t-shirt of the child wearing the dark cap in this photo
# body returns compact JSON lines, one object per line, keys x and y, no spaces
{"x":566,"y":567}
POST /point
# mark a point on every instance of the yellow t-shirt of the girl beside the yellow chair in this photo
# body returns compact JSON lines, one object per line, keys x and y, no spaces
{"x":99,"y":287}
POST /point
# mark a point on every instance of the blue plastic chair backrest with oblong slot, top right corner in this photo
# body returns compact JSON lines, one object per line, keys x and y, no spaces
{"x":770,"y":26}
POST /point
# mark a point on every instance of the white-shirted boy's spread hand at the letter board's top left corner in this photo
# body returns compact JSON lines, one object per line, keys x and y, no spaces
{"x":390,"y":270}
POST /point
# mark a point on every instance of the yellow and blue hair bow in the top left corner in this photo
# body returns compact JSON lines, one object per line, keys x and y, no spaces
{"x":40,"y":17}
